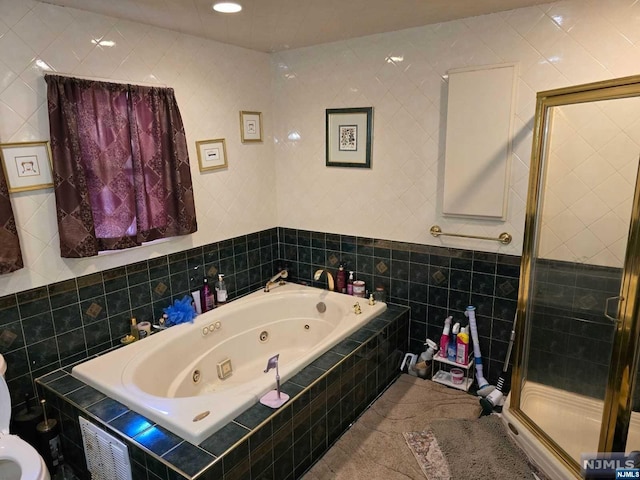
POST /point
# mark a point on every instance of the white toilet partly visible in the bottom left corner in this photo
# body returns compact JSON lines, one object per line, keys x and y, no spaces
{"x":18,"y":459}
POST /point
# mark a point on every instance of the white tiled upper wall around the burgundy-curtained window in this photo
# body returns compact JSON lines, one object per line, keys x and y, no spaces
{"x":213,"y":82}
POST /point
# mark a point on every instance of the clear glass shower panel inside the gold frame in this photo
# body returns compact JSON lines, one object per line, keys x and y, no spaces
{"x":575,"y":287}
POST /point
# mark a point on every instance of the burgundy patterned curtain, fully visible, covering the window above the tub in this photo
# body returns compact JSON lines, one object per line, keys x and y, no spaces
{"x":120,"y":164}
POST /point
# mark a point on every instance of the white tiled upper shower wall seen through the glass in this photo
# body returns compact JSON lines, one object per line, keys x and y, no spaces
{"x":589,"y":188}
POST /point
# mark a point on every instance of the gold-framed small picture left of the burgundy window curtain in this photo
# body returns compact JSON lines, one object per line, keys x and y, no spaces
{"x":27,"y":166}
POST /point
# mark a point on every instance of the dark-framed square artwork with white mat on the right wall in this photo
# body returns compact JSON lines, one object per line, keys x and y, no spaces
{"x":348,"y":137}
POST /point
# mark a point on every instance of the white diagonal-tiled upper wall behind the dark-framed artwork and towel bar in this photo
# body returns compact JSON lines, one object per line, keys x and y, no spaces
{"x":401,"y":75}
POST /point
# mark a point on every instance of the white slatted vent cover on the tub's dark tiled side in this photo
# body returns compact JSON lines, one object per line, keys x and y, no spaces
{"x":107,"y":457}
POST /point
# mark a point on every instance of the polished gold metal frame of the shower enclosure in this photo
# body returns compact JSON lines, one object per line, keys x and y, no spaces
{"x":622,"y":369}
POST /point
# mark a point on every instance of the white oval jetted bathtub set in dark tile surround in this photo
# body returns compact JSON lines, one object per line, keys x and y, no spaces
{"x":173,"y":377}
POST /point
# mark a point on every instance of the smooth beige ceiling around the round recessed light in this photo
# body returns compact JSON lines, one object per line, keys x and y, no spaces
{"x":275,"y":25}
